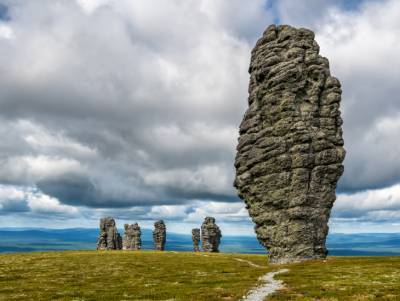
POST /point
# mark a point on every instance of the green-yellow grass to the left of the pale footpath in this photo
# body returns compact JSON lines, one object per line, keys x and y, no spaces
{"x":125,"y":275}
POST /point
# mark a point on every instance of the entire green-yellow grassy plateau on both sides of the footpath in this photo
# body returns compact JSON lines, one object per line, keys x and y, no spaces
{"x":150,"y":275}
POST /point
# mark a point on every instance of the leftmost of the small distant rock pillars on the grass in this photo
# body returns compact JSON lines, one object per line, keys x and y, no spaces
{"x":109,"y":238}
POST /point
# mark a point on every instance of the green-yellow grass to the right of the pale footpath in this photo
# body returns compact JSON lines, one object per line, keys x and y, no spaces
{"x":342,"y":279}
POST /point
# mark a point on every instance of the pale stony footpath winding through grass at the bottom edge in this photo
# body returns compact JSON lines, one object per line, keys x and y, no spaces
{"x":269,"y":287}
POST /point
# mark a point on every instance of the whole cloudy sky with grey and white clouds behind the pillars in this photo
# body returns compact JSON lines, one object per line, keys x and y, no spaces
{"x":131,"y":109}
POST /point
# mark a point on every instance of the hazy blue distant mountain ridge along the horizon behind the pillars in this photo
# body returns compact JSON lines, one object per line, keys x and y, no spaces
{"x":43,"y":239}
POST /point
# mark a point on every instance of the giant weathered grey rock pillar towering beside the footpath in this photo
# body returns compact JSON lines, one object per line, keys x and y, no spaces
{"x":290,"y":150}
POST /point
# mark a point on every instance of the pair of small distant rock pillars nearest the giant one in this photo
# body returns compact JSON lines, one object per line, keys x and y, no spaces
{"x":210,"y":236}
